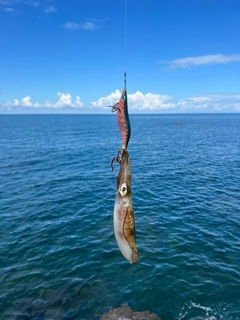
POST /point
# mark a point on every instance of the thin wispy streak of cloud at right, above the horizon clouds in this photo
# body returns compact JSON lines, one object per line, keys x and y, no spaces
{"x":202,"y":61}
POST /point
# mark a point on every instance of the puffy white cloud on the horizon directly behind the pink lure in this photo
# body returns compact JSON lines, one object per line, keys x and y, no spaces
{"x":138,"y":101}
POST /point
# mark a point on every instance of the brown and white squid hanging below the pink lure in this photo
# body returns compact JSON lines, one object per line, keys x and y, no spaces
{"x":124,"y":227}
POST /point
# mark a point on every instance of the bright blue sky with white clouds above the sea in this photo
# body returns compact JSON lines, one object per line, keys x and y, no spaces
{"x":69,"y":56}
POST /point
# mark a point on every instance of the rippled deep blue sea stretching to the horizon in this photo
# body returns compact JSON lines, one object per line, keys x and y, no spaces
{"x":58,"y":255}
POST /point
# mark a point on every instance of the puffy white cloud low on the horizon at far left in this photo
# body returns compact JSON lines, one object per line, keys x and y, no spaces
{"x":64,"y":101}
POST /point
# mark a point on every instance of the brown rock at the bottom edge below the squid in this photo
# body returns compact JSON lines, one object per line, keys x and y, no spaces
{"x":126,"y":313}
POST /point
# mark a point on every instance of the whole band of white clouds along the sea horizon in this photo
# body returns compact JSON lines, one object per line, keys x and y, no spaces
{"x":137,"y":102}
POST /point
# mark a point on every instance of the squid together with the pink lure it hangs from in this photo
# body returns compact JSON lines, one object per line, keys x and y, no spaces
{"x":124,"y":226}
